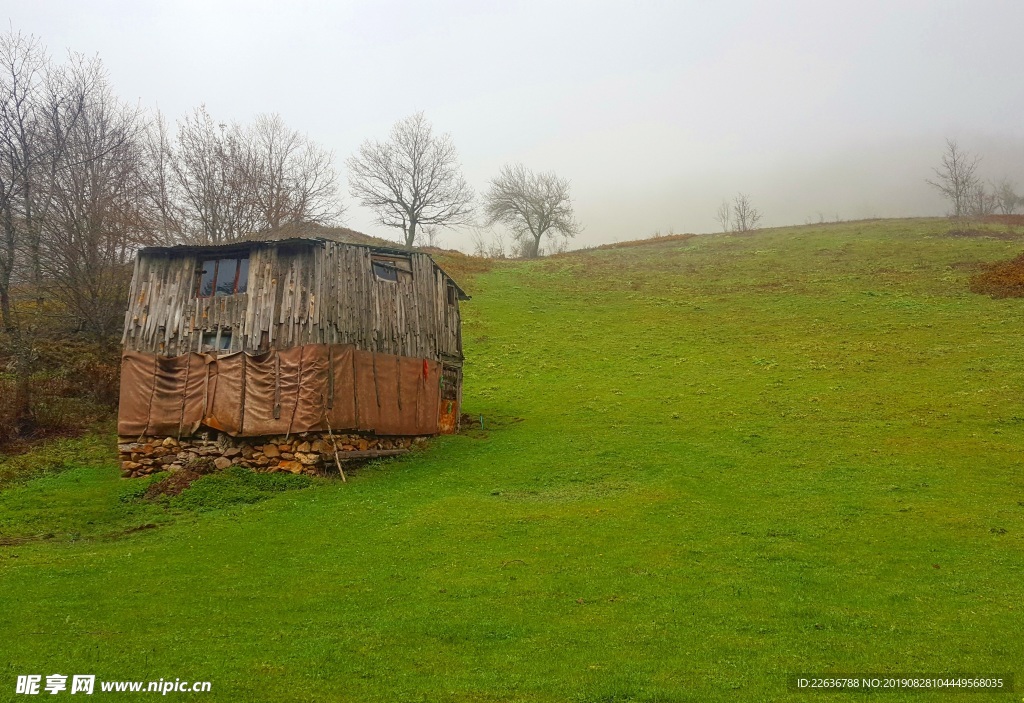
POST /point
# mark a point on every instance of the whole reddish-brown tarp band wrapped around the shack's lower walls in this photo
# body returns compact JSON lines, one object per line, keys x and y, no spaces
{"x":315,"y":387}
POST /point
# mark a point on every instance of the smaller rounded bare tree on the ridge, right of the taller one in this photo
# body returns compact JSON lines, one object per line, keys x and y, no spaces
{"x":531,"y":205}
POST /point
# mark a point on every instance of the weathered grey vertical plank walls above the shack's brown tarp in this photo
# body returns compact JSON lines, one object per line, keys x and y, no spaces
{"x":317,"y":293}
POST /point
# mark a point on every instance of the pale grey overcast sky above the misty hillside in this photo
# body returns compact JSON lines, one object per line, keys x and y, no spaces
{"x":656,"y":112}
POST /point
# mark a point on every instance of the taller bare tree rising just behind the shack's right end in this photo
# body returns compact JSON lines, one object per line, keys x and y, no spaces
{"x":412,"y":181}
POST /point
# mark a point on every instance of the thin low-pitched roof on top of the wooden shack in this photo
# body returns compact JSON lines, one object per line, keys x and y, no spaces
{"x":305,"y":234}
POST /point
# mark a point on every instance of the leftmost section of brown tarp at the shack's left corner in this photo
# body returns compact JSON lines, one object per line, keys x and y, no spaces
{"x":162,"y":396}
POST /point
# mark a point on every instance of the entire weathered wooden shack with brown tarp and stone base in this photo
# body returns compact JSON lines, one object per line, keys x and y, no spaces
{"x":287,"y":353}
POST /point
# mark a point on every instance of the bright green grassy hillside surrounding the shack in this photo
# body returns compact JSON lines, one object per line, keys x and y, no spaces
{"x":705,"y":465}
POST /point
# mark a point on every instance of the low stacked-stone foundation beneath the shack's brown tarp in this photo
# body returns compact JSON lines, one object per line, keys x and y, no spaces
{"x":309,"y":453}
